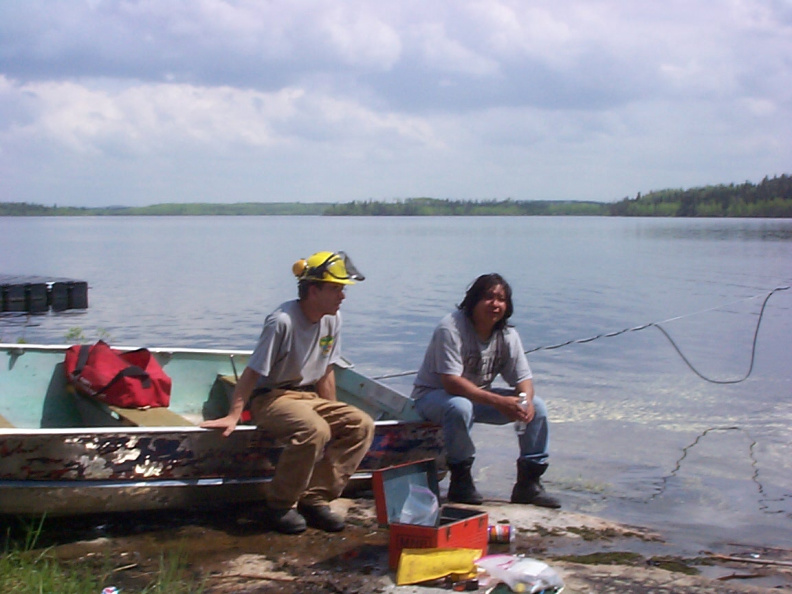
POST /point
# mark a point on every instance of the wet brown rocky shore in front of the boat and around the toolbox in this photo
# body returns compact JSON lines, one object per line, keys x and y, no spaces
{"x":231,"y":555}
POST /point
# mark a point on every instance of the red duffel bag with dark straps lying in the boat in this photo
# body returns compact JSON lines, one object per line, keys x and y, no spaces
{"x":130,"y":379}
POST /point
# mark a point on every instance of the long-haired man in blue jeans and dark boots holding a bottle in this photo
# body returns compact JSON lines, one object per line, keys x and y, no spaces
{"x":468,"y":350}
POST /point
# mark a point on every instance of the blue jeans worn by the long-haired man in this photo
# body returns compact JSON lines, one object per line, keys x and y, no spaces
{"x":456,"y":415}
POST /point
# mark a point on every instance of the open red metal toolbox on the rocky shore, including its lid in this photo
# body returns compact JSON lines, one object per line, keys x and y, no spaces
{"x":456,"y":527}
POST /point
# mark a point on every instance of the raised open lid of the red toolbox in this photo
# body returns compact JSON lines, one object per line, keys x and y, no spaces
{"x":391,"y":487}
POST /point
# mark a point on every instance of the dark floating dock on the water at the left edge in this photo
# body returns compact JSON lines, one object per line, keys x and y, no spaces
{"x":37,"y":294}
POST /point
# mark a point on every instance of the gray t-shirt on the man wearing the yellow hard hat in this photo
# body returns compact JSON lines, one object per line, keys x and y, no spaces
{"x":292,"y":351}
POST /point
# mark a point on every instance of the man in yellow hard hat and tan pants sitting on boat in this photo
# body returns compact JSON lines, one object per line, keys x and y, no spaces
{"x":289,"y":388}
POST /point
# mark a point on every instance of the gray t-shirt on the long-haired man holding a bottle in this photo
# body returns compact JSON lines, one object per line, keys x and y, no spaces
{"x":455,"y":349}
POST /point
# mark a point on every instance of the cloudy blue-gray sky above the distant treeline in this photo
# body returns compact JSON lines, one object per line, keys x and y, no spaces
{"x":152,"y":101}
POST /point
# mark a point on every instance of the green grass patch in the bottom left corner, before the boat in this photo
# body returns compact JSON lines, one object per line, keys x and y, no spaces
{"x":24,"y":569}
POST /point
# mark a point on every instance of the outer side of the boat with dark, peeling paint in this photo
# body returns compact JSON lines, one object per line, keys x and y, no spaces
{"x":64,"y":473}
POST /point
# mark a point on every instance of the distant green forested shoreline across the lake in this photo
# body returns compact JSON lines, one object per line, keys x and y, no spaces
{"x":771,"y":198}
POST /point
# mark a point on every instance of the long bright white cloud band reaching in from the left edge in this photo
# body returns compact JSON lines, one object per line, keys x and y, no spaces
{"x":151,"y":118}
